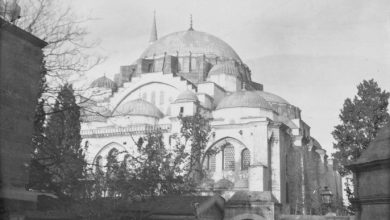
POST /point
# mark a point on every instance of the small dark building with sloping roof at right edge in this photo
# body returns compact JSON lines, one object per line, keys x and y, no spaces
{"x":372,"y":178}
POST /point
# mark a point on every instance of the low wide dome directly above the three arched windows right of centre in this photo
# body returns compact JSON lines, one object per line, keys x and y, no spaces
{"x":249,"y":99}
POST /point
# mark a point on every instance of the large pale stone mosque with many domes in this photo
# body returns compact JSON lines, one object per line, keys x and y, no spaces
{"x":266,"y":153}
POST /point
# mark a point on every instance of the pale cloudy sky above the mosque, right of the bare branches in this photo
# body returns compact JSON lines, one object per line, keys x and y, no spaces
{"x":312,"y":53}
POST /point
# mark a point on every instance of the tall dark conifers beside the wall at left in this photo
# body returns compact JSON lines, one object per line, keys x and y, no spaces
{"x":58,"y":160}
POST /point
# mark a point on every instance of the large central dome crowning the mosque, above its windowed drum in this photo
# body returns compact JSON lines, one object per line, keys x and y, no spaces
{"x":196,"y":42}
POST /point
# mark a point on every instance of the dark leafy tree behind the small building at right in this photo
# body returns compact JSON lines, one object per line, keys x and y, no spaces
{"x":360,"y":120}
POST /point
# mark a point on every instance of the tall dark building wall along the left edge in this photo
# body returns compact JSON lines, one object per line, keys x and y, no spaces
{"x":20,"y":72}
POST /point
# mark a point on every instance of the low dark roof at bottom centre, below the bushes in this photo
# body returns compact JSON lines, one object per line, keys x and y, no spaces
{"x":170,"y":205}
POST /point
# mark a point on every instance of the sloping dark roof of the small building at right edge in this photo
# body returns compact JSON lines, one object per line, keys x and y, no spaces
{"x":379,"y":148}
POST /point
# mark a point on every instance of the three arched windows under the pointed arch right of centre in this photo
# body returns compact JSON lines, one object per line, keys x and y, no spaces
{"x":228,"y":159}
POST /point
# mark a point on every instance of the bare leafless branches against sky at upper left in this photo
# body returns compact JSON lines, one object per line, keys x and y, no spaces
{"x":68,"y":52}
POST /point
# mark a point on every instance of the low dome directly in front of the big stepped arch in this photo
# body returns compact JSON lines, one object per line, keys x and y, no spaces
{"x":138,"y":107}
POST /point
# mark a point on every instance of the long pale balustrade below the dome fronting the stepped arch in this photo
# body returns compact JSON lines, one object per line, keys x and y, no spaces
{"x":122,"y":131}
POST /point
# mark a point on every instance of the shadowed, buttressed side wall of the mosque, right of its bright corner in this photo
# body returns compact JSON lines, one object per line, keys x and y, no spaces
{"x":317,"y":174}
